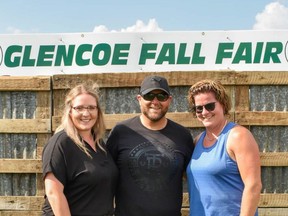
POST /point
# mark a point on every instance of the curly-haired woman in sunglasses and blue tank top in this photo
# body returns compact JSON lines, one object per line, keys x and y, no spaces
{"x":224,"y":174}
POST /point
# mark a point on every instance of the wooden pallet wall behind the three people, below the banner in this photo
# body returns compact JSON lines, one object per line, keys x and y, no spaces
{"x":48,"y":116}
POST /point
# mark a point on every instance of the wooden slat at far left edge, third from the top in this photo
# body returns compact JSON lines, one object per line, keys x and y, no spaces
{"x":20,"y":166}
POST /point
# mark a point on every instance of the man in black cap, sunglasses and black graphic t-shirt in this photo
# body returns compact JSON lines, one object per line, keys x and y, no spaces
{"x":152,"y":153}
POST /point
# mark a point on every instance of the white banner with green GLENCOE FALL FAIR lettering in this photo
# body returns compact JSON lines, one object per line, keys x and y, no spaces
{"x":48,"y":54}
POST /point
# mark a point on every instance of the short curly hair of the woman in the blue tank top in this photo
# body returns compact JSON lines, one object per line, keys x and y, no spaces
{"x":206,"y":86}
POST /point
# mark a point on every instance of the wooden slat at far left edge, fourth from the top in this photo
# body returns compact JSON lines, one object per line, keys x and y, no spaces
{"x":23,"y":203}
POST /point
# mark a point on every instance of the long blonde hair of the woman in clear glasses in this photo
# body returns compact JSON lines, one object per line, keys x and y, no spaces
{"x":66,"y":123}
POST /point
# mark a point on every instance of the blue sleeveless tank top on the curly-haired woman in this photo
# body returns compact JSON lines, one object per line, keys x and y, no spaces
{"x":214,"y":183}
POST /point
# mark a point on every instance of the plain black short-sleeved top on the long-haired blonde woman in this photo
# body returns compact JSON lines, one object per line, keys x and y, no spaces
{"x":89,"y":183}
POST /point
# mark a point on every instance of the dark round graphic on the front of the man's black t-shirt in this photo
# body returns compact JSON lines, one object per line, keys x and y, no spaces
{"x":152,"y":165}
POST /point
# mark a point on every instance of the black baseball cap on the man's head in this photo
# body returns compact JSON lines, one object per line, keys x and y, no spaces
{"x":153,"y":82}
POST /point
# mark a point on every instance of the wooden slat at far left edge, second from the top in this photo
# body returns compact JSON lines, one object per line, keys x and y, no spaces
{"x":25,"y":126}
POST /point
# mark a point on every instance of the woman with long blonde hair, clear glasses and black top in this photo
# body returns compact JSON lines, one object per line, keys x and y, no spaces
{"x":80,"y":176}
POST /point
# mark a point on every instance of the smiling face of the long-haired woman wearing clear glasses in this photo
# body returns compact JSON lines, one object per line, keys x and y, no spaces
{"x":87,"y":118}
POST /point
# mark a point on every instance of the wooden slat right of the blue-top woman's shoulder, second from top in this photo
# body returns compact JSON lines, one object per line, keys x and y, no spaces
{"x":263,"y":118}
